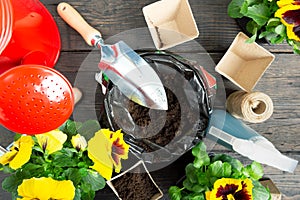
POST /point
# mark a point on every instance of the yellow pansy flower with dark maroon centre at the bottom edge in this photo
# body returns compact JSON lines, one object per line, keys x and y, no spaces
{"x":231,"y":189}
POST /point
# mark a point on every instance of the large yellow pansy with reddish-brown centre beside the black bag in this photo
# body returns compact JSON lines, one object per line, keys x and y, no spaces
{"x":106,"y":149}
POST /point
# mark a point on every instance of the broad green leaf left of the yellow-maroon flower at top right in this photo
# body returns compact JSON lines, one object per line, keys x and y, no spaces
{"x":259,"y":13}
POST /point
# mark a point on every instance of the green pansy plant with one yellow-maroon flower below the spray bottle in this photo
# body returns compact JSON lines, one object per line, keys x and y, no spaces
{"x":219,"y":177}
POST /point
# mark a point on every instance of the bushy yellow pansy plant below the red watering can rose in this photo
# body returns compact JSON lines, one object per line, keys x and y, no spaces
{"x":60,"y":165}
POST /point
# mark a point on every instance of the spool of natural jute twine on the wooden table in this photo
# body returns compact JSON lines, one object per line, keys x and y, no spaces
{"x":254,"y":107}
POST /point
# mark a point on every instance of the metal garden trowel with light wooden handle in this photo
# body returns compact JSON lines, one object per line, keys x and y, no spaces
{"x":135,"y":78}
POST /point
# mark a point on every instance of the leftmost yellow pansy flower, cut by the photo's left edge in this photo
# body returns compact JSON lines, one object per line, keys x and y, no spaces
{"x":19,"y":153}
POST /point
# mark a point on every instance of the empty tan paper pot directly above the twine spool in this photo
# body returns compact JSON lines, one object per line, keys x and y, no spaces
{"x":244,"y":63}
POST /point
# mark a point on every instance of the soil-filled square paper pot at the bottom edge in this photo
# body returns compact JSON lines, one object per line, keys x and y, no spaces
{"x":137,"y":168}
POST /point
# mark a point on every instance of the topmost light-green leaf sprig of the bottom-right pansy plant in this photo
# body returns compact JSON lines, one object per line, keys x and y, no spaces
{"x":201,"y":156}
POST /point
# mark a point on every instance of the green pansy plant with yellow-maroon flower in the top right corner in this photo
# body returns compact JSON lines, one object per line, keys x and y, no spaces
{"x":276,"y":21}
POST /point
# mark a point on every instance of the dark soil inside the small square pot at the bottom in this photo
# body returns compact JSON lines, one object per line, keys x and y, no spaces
{"x":135,"y":186}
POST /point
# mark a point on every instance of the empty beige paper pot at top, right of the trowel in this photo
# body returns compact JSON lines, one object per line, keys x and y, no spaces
{"x":171,"y":22}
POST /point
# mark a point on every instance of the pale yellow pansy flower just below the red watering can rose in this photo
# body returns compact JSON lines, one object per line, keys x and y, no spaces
{"x":52,"y":141}
